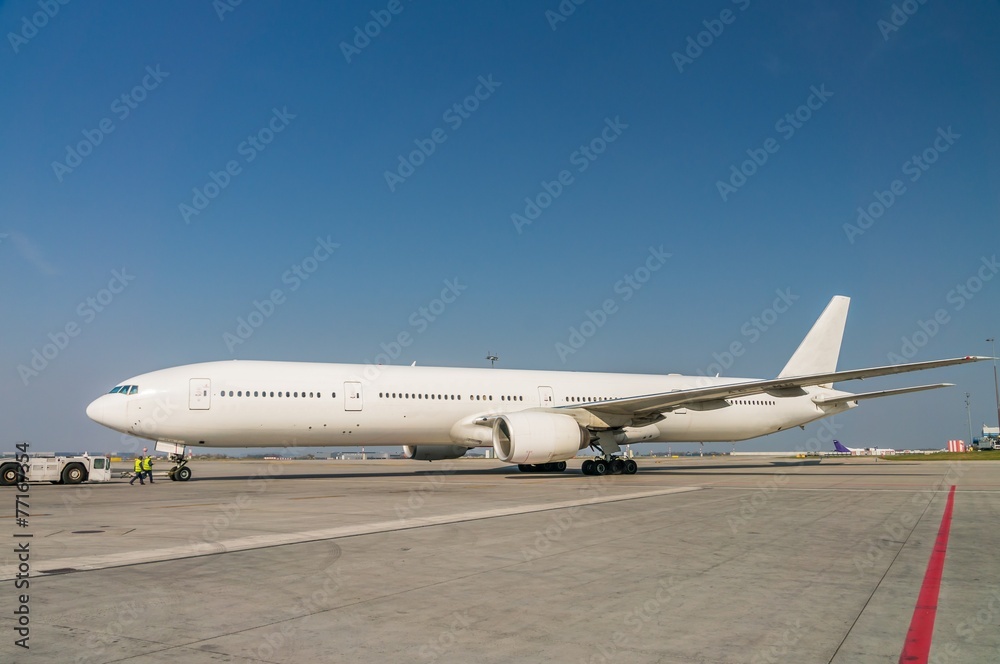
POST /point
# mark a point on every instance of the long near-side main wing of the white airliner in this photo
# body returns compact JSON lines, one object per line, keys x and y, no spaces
{"x":650,"y":404}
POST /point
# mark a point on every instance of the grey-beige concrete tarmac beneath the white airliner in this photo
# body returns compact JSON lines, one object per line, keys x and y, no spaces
{"x":714,"y":560}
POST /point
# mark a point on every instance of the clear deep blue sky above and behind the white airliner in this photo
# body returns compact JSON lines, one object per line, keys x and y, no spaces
{"x":116,"y":117}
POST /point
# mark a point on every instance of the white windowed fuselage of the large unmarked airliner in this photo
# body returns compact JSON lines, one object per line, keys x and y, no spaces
{"x":272,"y":404}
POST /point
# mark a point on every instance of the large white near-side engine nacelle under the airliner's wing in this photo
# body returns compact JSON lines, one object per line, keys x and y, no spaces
{"x":528,"y":437}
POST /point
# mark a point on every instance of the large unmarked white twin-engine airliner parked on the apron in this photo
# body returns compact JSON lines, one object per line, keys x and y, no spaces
{"x":536,"y":419}
